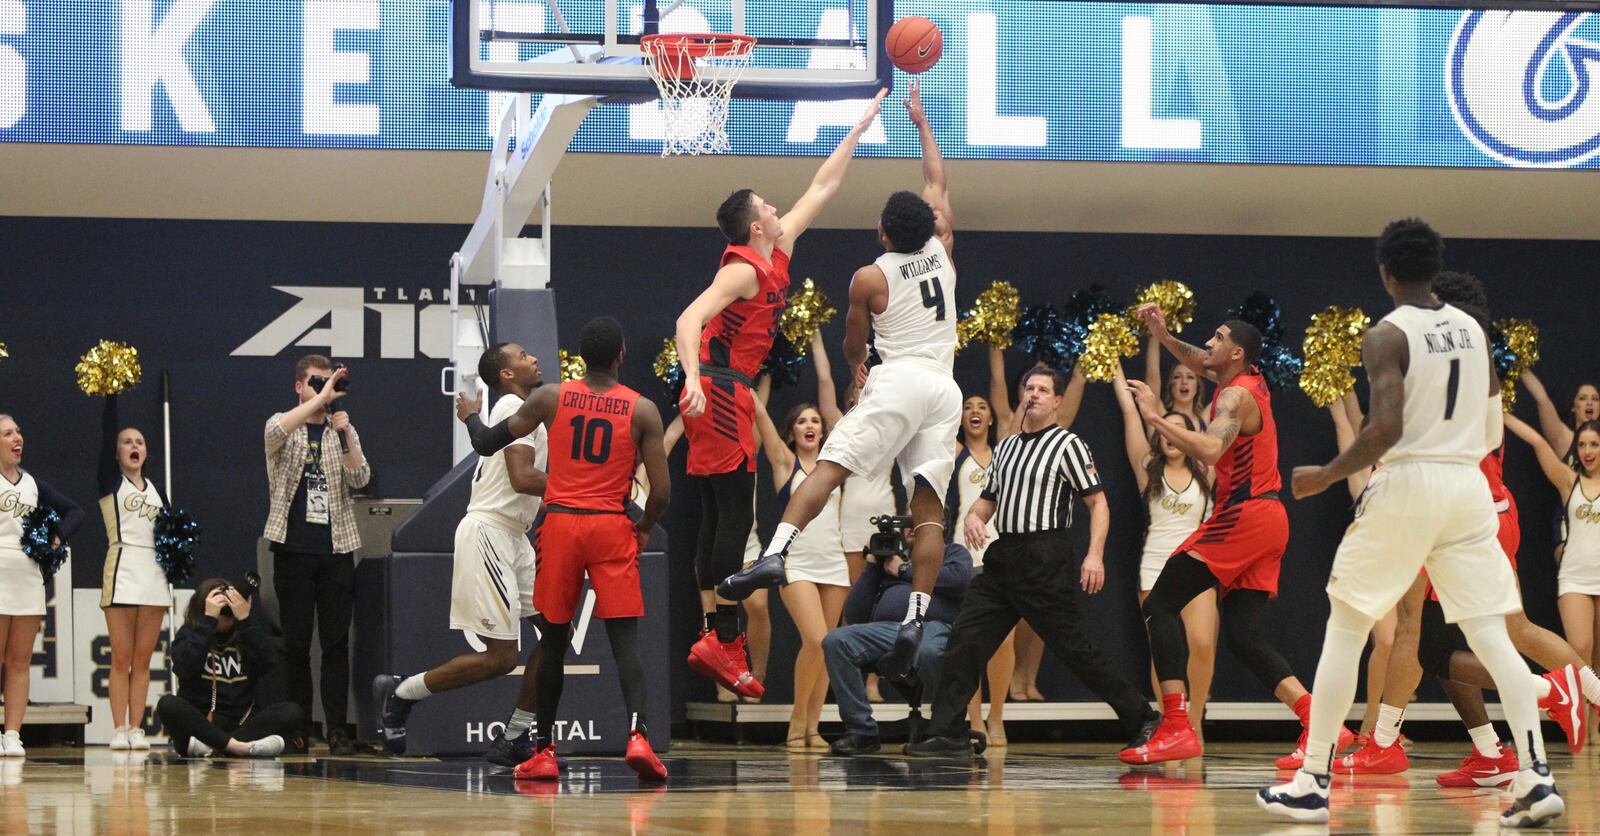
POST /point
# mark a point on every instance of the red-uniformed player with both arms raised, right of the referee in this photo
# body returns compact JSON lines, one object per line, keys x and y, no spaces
{"x":1238,"y":550}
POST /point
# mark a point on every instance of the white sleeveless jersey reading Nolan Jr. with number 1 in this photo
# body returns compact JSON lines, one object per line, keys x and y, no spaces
{"x":1447,"y":387}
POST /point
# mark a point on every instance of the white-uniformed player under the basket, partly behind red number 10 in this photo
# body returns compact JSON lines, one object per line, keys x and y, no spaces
{"x":492,"y":585}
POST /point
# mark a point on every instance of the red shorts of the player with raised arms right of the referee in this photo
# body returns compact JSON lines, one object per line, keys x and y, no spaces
{"x":1242,"y":545}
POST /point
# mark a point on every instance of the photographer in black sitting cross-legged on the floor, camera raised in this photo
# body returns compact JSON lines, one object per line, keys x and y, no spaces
{"x":218,"y":656}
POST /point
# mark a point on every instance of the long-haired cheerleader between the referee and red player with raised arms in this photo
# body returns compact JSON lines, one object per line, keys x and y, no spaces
{"x":1177,"y":494}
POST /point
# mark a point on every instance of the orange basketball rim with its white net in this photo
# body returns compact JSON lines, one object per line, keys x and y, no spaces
{"x":695,"y":76}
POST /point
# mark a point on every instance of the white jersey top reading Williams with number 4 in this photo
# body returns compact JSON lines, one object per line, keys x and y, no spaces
{"x":919,"y":321}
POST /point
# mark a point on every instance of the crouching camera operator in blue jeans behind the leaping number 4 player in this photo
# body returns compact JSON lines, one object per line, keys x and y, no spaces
{"x":874,"y":613}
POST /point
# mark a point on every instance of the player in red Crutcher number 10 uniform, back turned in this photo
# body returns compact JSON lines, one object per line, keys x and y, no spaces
{"x":598,"y":432}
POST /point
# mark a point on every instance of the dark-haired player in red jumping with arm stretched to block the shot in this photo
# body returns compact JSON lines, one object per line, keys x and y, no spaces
{"x":724,"y":337}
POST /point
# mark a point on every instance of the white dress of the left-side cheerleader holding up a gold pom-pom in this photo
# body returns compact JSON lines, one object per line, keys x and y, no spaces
{"x":132,"y":577}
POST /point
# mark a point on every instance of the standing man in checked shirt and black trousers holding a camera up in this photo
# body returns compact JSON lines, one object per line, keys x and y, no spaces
{"x":311,"y":525}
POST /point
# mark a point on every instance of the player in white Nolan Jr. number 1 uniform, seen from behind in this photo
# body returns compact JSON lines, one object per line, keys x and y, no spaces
{"x":1436,"y":414}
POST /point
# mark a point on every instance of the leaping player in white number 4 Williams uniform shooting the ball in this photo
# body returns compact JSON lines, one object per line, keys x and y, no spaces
{"x":911,"y":406}
